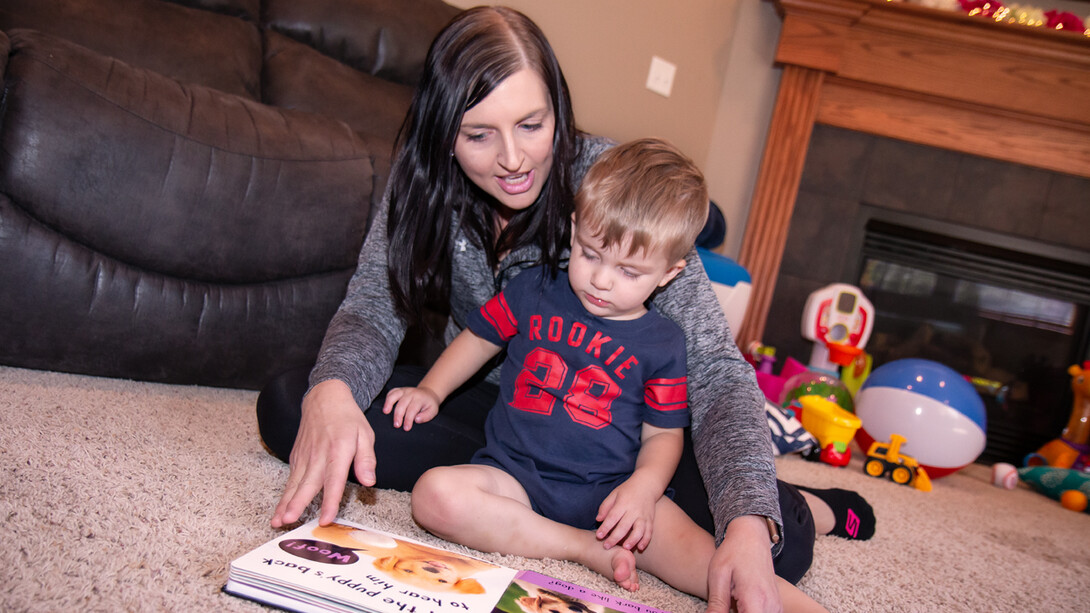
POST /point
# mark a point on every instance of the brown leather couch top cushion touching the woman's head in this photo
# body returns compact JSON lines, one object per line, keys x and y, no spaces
{"x":389,"y":39}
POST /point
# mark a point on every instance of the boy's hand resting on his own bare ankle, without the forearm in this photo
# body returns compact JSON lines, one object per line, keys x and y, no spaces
{"x":627,"y":516}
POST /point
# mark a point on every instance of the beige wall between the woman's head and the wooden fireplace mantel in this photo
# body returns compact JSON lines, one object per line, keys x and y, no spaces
{"x":722,"y":99}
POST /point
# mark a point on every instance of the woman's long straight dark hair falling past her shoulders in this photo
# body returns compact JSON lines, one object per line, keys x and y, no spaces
{"x":475,"y":53}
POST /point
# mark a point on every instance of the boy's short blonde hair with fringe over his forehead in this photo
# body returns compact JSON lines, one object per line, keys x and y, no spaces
{"x":646,"y":191}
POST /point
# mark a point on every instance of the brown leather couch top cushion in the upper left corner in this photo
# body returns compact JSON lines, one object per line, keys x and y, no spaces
{"x":190,"y":45}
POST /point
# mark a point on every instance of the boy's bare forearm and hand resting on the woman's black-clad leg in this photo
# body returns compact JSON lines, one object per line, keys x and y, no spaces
{"x":466,"y":355}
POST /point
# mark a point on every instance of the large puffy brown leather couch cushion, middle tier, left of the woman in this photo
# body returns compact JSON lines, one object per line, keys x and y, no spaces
{"x":217,"y":188}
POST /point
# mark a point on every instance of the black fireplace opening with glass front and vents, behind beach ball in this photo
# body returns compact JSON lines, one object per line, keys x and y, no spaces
{"x":1009,"y":314}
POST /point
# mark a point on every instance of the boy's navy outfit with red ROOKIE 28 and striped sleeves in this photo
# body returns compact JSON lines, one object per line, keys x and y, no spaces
{"x":576,"y":389}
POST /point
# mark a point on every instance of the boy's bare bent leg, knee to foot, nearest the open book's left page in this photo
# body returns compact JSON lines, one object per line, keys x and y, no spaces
{"x":488,"y":510}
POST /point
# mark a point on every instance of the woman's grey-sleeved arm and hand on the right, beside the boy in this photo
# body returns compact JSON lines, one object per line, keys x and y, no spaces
{"x":733,"y":447}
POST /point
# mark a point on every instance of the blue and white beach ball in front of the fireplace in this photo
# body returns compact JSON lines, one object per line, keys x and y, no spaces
{"x":935,"y":408}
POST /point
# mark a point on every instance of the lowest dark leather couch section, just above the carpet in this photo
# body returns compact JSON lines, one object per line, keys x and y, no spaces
{"x":69,"y":309}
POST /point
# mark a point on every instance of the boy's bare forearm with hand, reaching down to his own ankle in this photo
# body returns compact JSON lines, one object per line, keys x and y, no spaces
{"x":628,"y":513}
